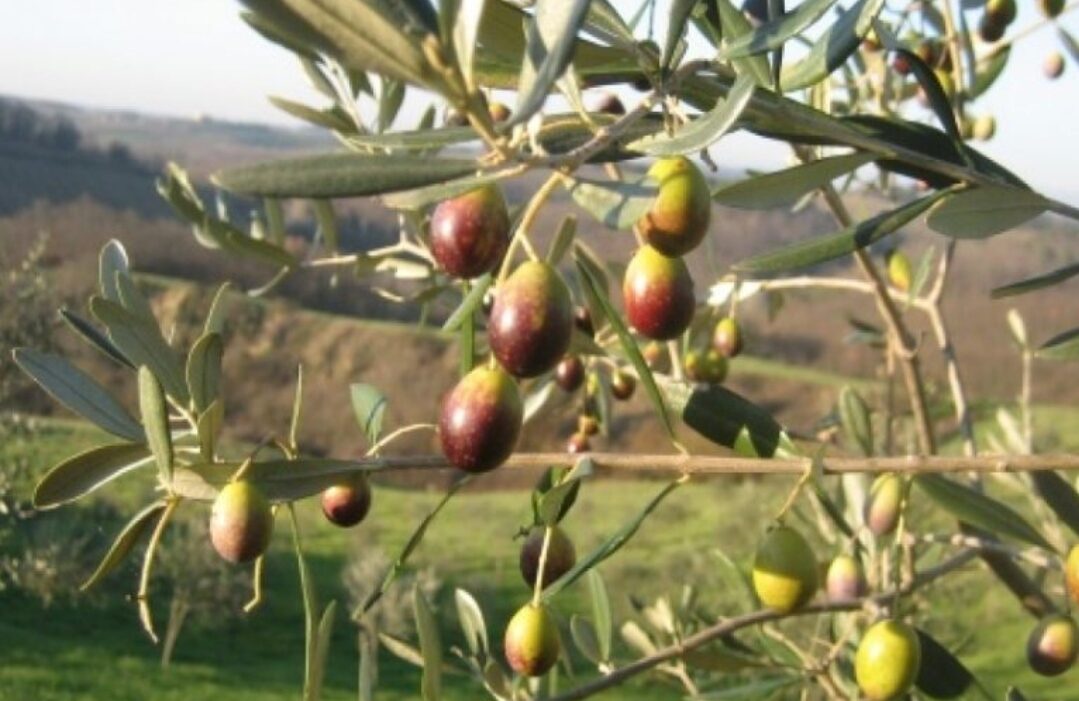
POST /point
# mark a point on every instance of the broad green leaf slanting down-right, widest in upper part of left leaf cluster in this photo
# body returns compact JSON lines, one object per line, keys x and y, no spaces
{"x":143,"y":343}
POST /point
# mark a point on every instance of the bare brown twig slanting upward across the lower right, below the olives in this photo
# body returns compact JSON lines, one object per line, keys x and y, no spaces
{"x":729,"y":626}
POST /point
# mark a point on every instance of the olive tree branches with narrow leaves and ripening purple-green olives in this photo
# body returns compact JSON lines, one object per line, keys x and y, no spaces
{"x":838,"y":84}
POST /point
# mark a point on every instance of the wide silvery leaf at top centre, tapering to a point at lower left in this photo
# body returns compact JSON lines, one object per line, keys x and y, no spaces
{"x":551,"y":39}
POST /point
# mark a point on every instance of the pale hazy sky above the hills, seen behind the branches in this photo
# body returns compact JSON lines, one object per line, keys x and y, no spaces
{"x":189,"y":58}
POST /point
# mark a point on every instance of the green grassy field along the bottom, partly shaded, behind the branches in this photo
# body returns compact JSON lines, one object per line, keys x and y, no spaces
{"x":78,"y":649}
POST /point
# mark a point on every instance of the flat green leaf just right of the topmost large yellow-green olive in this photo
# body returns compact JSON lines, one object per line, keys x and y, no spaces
{"x":785,"y":188}
